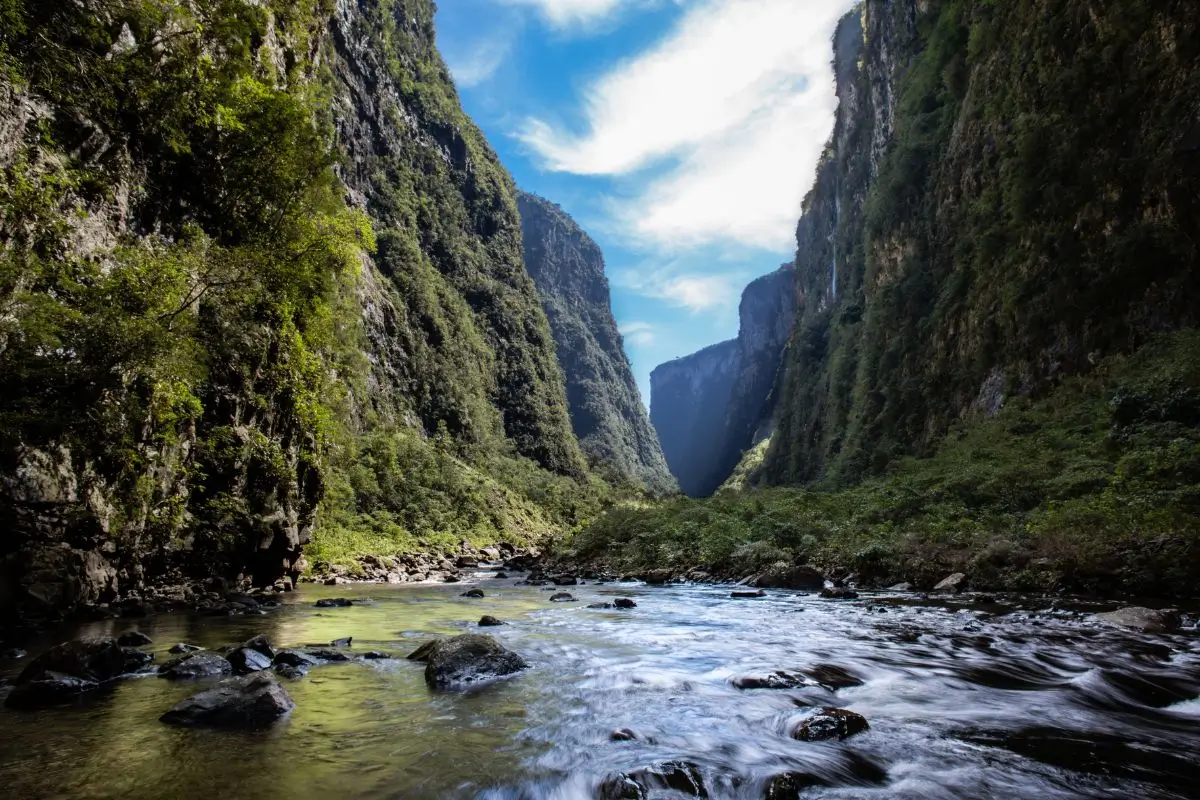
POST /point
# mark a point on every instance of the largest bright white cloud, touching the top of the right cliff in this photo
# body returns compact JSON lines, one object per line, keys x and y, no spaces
{"x":733,"y":109}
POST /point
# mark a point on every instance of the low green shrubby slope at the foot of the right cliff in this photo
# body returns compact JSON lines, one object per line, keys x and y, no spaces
{"x":1096,"y":488}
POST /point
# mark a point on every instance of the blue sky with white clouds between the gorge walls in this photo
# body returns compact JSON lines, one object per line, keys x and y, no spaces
{"x":682,"y":135}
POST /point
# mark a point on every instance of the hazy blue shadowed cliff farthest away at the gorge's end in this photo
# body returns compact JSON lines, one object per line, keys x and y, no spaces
{"x":715,"y":405}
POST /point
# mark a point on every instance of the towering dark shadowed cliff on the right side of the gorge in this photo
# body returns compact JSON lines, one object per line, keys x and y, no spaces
{"x":1009,"y":197}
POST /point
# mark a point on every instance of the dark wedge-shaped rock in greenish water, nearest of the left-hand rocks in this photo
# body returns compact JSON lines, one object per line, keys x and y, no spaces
{"x":248,"y":703}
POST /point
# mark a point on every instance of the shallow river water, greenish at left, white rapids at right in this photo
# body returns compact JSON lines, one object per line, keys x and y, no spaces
{"x":988,"y":702}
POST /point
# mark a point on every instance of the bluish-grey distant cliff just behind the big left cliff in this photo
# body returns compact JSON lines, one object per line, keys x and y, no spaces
{"x":607,"y":410}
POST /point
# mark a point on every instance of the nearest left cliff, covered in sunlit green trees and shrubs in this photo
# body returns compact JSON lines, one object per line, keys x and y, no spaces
{"x":219,"y":317}
